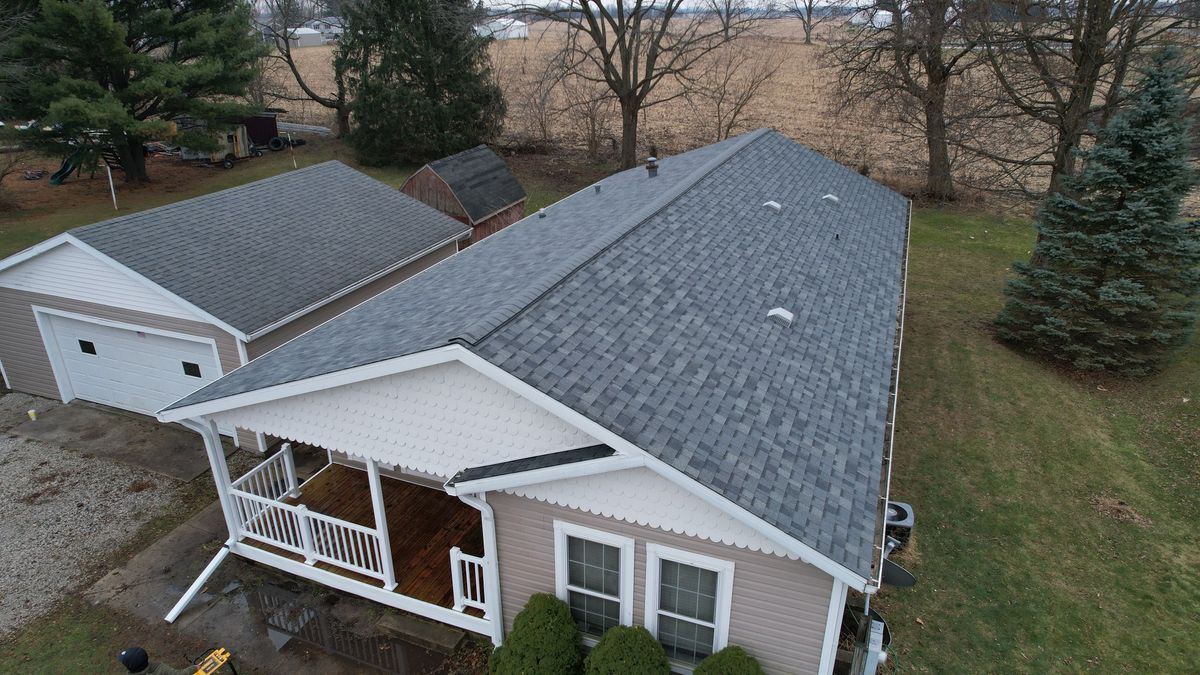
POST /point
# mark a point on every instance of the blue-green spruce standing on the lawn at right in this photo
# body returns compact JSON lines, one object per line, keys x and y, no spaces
{"x":1115,"y":277}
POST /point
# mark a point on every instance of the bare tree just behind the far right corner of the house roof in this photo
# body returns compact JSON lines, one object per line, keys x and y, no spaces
{"x":909,"y":56}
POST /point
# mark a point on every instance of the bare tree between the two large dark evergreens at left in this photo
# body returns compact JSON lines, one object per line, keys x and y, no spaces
{"x":279,"y":26}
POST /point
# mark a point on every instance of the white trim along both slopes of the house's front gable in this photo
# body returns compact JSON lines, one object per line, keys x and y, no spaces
{"x":585,"y":425}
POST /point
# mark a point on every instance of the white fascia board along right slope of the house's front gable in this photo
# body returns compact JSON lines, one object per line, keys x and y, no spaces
{"x":587,"y":426}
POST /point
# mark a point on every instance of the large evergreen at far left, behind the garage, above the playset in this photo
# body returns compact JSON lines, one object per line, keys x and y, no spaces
{"x":125,"y":68}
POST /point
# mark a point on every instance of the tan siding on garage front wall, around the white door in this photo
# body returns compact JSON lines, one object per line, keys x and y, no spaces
{"x":23,"y":353}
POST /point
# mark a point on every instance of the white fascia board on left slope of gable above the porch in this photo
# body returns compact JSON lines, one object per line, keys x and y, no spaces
{"x":308,"y":386}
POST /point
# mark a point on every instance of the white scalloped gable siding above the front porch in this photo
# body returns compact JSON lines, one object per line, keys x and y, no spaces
{"x":436,"y":420}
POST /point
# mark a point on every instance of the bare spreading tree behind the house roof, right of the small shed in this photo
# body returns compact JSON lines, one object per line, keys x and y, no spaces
{"x":637,"y":46}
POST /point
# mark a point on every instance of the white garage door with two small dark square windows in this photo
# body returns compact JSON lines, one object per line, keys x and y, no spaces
{"x":129,"y":369}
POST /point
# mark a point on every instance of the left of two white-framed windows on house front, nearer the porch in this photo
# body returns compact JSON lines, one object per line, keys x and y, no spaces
{"x":595,"y":576}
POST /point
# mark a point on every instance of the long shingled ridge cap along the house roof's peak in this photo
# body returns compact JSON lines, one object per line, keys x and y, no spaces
{"x":475,"y":333}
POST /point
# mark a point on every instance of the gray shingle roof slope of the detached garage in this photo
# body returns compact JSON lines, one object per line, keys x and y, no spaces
{"x":256,"y":254}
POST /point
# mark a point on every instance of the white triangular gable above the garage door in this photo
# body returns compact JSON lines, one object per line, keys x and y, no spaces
{"x":68,"y":271}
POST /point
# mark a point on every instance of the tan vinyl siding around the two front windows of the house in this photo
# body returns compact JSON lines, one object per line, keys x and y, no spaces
{"x":779,"y":606}
